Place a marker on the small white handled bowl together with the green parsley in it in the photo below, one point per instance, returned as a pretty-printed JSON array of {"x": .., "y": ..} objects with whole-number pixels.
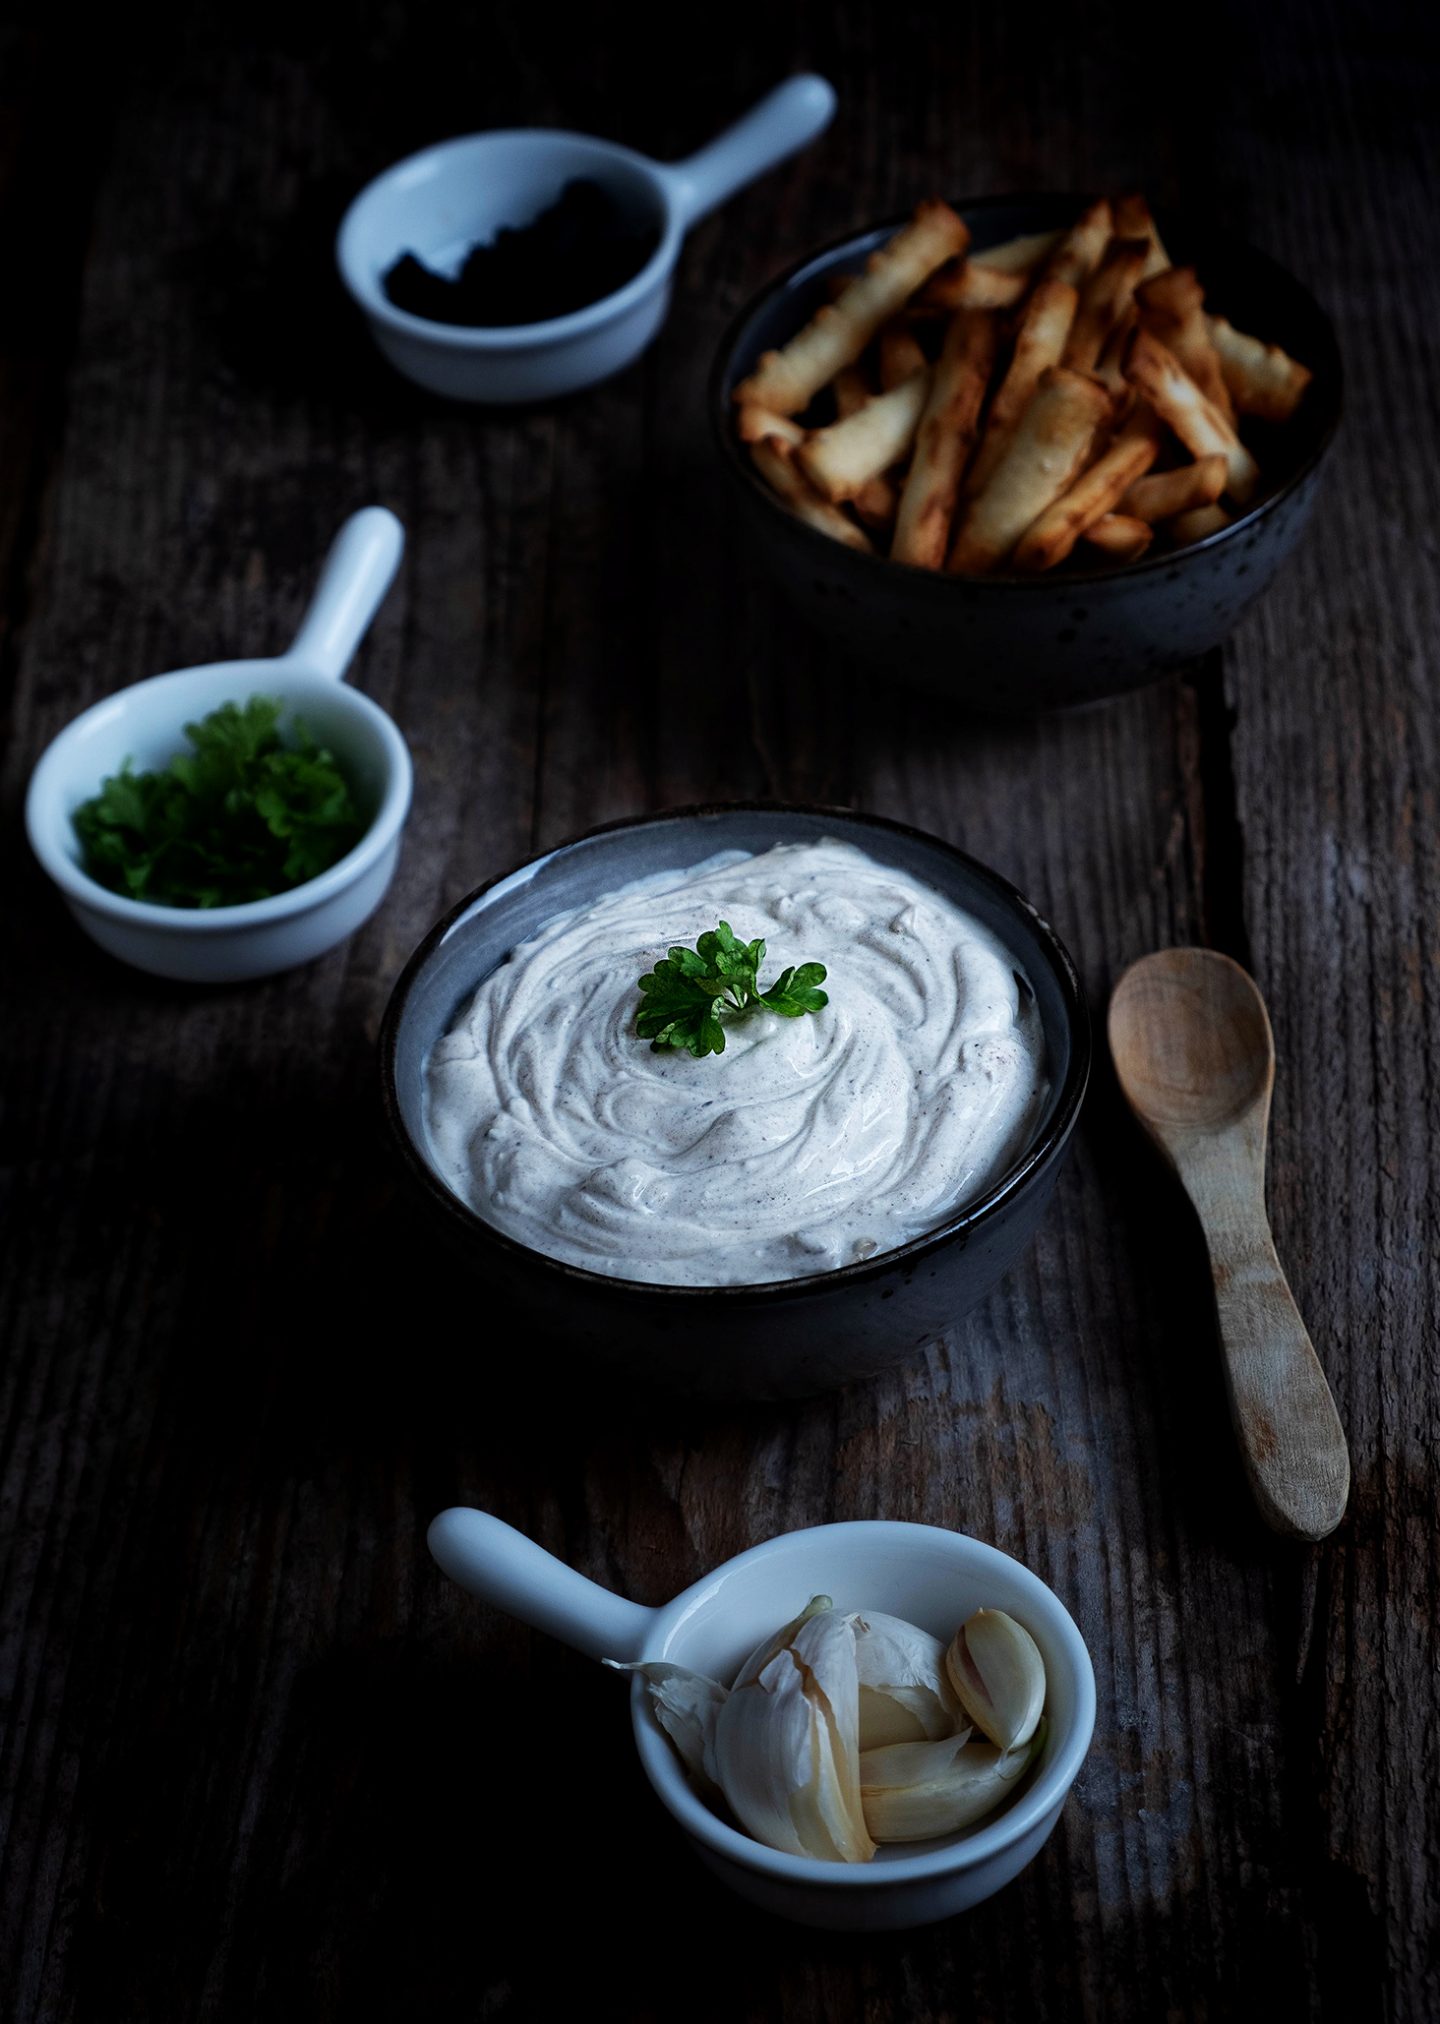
[{"x": 240, "y": 819}]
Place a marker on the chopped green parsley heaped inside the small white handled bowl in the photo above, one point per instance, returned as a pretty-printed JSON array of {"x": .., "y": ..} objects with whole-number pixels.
[{"x": 240, "y": 817}]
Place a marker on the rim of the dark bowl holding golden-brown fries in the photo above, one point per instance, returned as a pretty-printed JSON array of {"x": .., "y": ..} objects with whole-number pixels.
[{"x": 1002, "y": 582}]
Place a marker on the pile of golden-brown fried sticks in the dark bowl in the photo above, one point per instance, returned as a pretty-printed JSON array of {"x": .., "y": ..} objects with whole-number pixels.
[{"x": 1064, "y": 394}]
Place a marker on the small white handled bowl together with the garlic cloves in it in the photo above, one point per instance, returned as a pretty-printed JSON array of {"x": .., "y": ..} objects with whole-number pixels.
[{"x": 866, "y": 1725}]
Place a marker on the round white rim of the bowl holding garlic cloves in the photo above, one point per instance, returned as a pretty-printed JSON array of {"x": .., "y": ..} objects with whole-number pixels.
[{"x": 1044, "y": 1792}]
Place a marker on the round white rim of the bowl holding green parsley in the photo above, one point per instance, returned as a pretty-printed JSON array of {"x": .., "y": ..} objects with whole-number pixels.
[{"x": 46, "y": 790}]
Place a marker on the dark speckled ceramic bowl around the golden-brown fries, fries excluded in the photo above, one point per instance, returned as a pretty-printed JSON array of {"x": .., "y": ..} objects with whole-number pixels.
[{"x": 1036, "y": 643}]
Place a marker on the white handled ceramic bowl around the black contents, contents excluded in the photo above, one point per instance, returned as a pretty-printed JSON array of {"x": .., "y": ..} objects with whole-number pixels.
[{"x": 443, "y": 201}]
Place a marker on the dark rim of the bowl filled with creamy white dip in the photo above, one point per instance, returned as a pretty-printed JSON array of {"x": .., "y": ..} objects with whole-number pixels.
[{"x": 1038, "y": 1157}]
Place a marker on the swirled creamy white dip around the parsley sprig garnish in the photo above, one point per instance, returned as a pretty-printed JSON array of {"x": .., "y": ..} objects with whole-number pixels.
[{"x": 807, "y": 1145}]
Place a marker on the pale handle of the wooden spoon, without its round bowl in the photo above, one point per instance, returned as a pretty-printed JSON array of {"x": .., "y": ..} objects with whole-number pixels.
[{"x": 1285, "y": 1416}]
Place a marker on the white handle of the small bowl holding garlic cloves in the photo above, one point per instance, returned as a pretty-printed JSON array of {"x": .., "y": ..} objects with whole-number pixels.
[{"x": 507, "y": 1570}]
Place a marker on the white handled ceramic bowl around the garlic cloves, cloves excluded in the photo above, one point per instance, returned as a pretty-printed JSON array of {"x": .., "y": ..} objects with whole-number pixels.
[{"x": 923, "y": 1574}]
